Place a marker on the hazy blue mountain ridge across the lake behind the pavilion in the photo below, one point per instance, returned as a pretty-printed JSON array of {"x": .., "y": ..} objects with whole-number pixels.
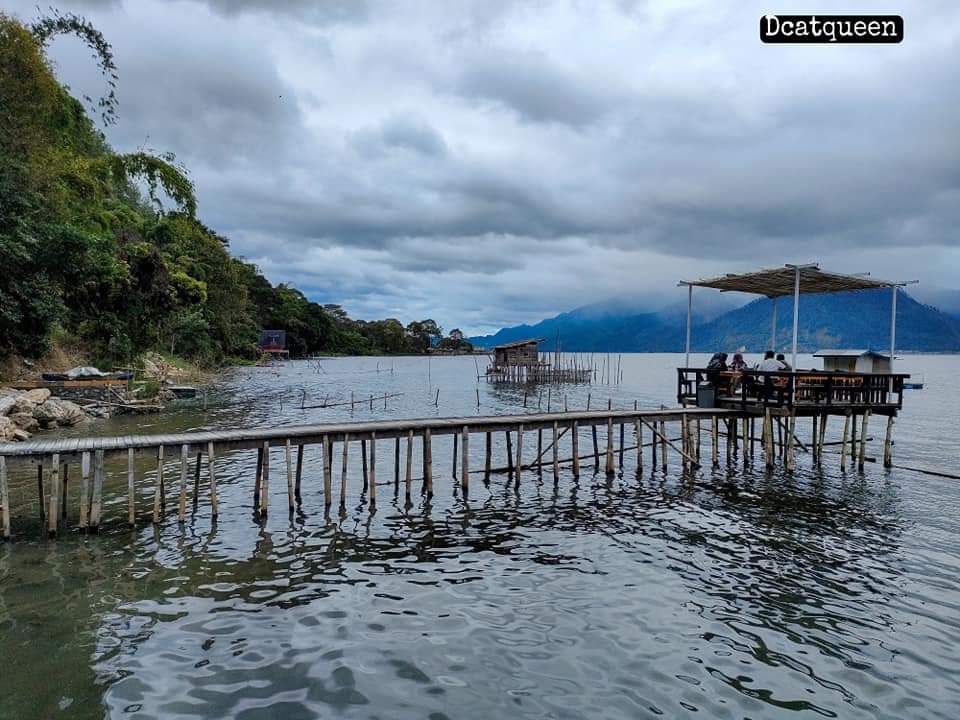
[{"x": 859, "y": 319}]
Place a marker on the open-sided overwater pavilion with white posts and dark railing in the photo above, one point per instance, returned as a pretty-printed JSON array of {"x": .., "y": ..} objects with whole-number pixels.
[{"x": 797, "y": 392}]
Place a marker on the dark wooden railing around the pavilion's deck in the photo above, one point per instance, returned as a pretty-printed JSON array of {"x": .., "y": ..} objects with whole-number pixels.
[{"x": 789, "y": 389}]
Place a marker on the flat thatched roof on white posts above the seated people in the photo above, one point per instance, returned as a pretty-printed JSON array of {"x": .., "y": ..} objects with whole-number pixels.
[{"x": 775, "y": 282}]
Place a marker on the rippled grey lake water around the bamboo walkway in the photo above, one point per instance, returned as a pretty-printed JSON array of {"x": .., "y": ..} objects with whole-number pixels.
[{"x": 725, "y": 593}]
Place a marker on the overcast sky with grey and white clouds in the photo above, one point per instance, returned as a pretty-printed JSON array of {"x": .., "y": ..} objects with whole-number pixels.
[{"x": 489, "y": 162}]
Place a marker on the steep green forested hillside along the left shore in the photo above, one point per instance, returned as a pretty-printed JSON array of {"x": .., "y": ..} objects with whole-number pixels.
[{"x": 107, "y": 249}]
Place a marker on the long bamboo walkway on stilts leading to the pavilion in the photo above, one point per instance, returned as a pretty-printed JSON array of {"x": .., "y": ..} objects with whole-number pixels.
[{"x": 54, "y": 458}]
